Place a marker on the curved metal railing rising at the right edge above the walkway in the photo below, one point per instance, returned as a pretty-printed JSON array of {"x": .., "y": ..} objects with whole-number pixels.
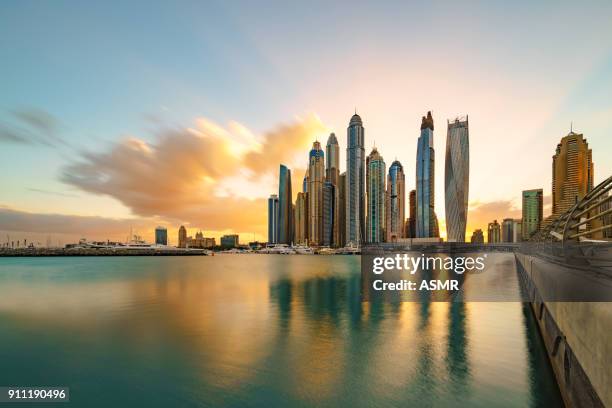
[{"x": 589, "y": 220}]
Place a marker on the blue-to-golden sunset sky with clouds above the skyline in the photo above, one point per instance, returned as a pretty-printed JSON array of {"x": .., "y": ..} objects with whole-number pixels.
[{"x": 118, "y": 116}]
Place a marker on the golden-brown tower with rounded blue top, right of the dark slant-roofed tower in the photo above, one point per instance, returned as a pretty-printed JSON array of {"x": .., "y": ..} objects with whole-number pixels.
[{"x": 316, "y": 178}]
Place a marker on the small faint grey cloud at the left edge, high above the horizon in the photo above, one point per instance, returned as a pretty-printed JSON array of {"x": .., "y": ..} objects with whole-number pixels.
[{"x": 31, "y": 126}]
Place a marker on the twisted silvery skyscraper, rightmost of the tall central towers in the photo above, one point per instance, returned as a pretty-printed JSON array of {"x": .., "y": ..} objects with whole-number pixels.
[{"x": 456, "y": 179}]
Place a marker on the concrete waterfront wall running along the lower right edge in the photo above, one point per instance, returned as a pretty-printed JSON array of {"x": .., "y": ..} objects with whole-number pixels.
[{"x": 576, "y": 334}]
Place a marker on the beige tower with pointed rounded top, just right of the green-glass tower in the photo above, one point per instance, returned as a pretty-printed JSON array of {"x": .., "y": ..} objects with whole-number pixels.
[{"x": 395, "y": 202}]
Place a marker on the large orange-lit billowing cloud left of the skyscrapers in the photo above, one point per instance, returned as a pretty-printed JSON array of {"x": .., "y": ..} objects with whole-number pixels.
[{"x": 179, "y": 176}]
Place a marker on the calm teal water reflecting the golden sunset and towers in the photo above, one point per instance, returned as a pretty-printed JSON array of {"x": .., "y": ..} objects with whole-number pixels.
[{"x": 256, "y": 330}]
